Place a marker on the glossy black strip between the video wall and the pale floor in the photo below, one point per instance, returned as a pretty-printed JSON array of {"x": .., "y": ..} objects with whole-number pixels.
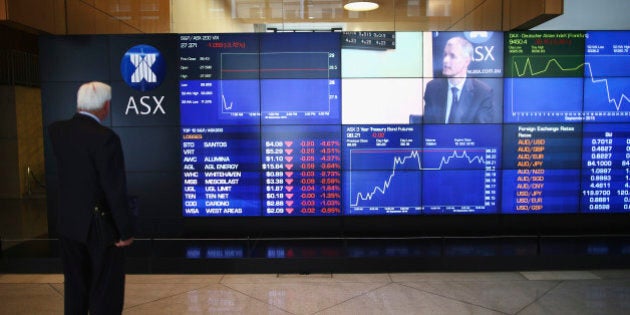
[{"x": 341, "y": 255}]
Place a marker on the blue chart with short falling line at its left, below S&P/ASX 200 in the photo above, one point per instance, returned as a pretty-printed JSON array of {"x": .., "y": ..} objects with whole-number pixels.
[{"x": 286, "y": 84}]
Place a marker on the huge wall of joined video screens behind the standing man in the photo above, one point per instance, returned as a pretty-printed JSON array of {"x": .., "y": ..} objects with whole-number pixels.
[{"x": 362, "y": 123}]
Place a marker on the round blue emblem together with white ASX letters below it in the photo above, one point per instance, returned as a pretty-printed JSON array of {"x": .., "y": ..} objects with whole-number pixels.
[{"x": 143, "y": 68}]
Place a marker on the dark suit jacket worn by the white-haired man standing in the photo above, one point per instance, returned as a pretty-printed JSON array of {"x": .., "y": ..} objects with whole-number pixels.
[{"x": 91, "y": 169}]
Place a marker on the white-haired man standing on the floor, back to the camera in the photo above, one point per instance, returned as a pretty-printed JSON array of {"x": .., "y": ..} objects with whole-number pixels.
[{"x": 91, "y": 171}]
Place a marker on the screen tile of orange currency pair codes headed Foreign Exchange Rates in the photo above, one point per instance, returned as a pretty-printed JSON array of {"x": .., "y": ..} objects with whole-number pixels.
[{"x": 542, "y": 168}]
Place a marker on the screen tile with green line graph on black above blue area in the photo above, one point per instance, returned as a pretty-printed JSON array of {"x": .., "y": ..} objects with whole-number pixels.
[{"x": 544, "y": 76}]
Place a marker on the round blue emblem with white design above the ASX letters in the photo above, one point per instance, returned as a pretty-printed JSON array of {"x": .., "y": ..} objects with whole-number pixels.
[{"x": 143, "y": 68}]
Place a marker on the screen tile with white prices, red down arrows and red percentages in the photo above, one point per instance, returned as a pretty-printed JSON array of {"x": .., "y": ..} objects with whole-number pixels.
[{"x": 302, "y": 170}]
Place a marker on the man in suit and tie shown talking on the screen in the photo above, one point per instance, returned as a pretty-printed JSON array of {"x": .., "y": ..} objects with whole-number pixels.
[{"x": 456, "y": 98}]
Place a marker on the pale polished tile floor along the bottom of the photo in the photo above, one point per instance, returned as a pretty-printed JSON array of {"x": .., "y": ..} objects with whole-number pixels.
[{"x": 531, "y": 292}]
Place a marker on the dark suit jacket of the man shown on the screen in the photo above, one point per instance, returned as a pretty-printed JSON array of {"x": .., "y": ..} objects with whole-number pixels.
[{"x": 476, "y": 103}]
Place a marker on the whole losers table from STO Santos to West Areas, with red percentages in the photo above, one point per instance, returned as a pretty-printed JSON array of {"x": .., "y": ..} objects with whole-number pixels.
[{"x": 301, "y": 171}]
